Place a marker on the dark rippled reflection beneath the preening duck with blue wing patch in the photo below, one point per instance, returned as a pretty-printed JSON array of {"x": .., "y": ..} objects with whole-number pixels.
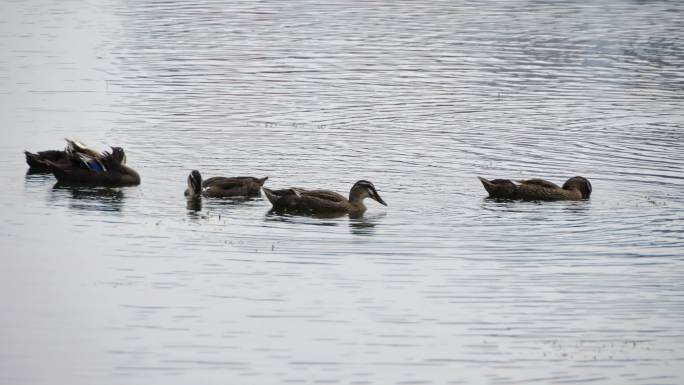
[{"x": 90, "y": 198}]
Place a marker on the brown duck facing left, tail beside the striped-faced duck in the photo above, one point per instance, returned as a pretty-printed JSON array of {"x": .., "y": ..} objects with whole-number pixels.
[{"x": 223, "y": 187}]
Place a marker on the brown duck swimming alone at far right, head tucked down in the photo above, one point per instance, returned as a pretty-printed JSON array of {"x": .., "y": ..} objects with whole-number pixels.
[{"x": 574, "y": 189}]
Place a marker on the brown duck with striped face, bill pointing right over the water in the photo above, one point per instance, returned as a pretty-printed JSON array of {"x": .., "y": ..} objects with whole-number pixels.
[{"x": 324, "y": 201}]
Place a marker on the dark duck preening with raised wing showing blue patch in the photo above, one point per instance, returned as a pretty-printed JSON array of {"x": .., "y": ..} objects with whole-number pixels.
[{"x": 106, "y": 170}]
